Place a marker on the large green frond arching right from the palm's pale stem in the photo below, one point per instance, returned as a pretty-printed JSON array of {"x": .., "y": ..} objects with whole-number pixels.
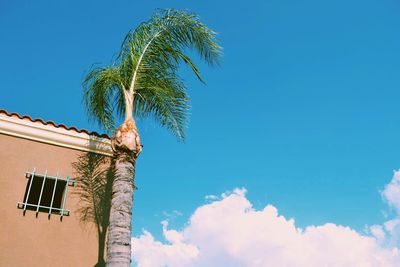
[{"x": 159, "y": 47}]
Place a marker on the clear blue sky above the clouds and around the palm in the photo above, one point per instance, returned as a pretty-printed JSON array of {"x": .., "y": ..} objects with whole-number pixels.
[{"x": 303, "y": 111}]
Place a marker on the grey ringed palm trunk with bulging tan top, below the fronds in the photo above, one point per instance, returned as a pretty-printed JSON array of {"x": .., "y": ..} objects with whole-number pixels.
[{"x": 126, "y": 146}]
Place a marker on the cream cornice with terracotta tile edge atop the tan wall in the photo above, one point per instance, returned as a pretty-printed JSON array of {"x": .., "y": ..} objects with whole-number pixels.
[{"x": 50, "y": 134}]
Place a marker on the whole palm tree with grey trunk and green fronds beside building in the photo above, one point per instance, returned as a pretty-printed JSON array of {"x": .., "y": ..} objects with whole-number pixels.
[{"x": 144, "y": 82}]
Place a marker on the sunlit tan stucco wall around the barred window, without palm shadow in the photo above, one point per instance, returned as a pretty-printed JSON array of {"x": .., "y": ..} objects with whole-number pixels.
[{"x": 30, "y": 241}]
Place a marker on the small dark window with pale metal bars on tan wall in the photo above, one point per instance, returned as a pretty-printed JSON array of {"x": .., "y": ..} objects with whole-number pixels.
[{"x": 45, "y": 193}]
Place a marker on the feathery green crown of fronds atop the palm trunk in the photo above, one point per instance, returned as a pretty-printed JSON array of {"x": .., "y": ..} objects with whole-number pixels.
[{"x": 144, "y": 79}]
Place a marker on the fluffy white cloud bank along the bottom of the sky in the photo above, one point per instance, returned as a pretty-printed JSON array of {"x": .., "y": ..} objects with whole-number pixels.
[{"x": 230, "y": 232}]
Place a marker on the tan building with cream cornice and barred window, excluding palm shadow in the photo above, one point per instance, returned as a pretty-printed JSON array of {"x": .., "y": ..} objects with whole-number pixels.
[{"x": 39, "y": 220}]
